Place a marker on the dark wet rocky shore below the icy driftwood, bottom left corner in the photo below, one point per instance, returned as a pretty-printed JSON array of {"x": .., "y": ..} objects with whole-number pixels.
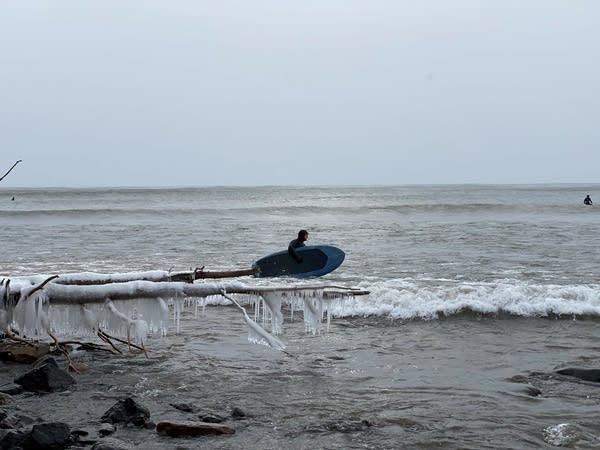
[{"x": 45, "y": 379}]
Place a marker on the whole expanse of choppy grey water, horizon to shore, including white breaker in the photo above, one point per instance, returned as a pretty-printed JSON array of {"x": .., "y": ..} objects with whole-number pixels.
[{"x": 471, "y": 285}]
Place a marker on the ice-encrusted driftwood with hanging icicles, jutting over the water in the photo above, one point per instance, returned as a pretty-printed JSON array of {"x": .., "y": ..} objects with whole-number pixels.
[{"x": 133, "y": 305}]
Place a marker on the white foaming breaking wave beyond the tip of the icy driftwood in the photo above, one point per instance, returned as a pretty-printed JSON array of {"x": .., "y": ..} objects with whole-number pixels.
[{"x": 434, "y": 299}]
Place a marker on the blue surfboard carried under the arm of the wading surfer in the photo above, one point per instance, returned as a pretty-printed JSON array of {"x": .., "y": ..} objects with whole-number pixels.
[{"x": 317, "y": 260}]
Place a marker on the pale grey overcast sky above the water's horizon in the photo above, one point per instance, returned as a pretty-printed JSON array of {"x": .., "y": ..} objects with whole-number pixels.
[{"x": 195, "y": 93}]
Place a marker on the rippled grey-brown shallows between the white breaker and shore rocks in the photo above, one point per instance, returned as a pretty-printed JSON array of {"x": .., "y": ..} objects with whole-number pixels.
[{"x": 368, "y": 383}]
